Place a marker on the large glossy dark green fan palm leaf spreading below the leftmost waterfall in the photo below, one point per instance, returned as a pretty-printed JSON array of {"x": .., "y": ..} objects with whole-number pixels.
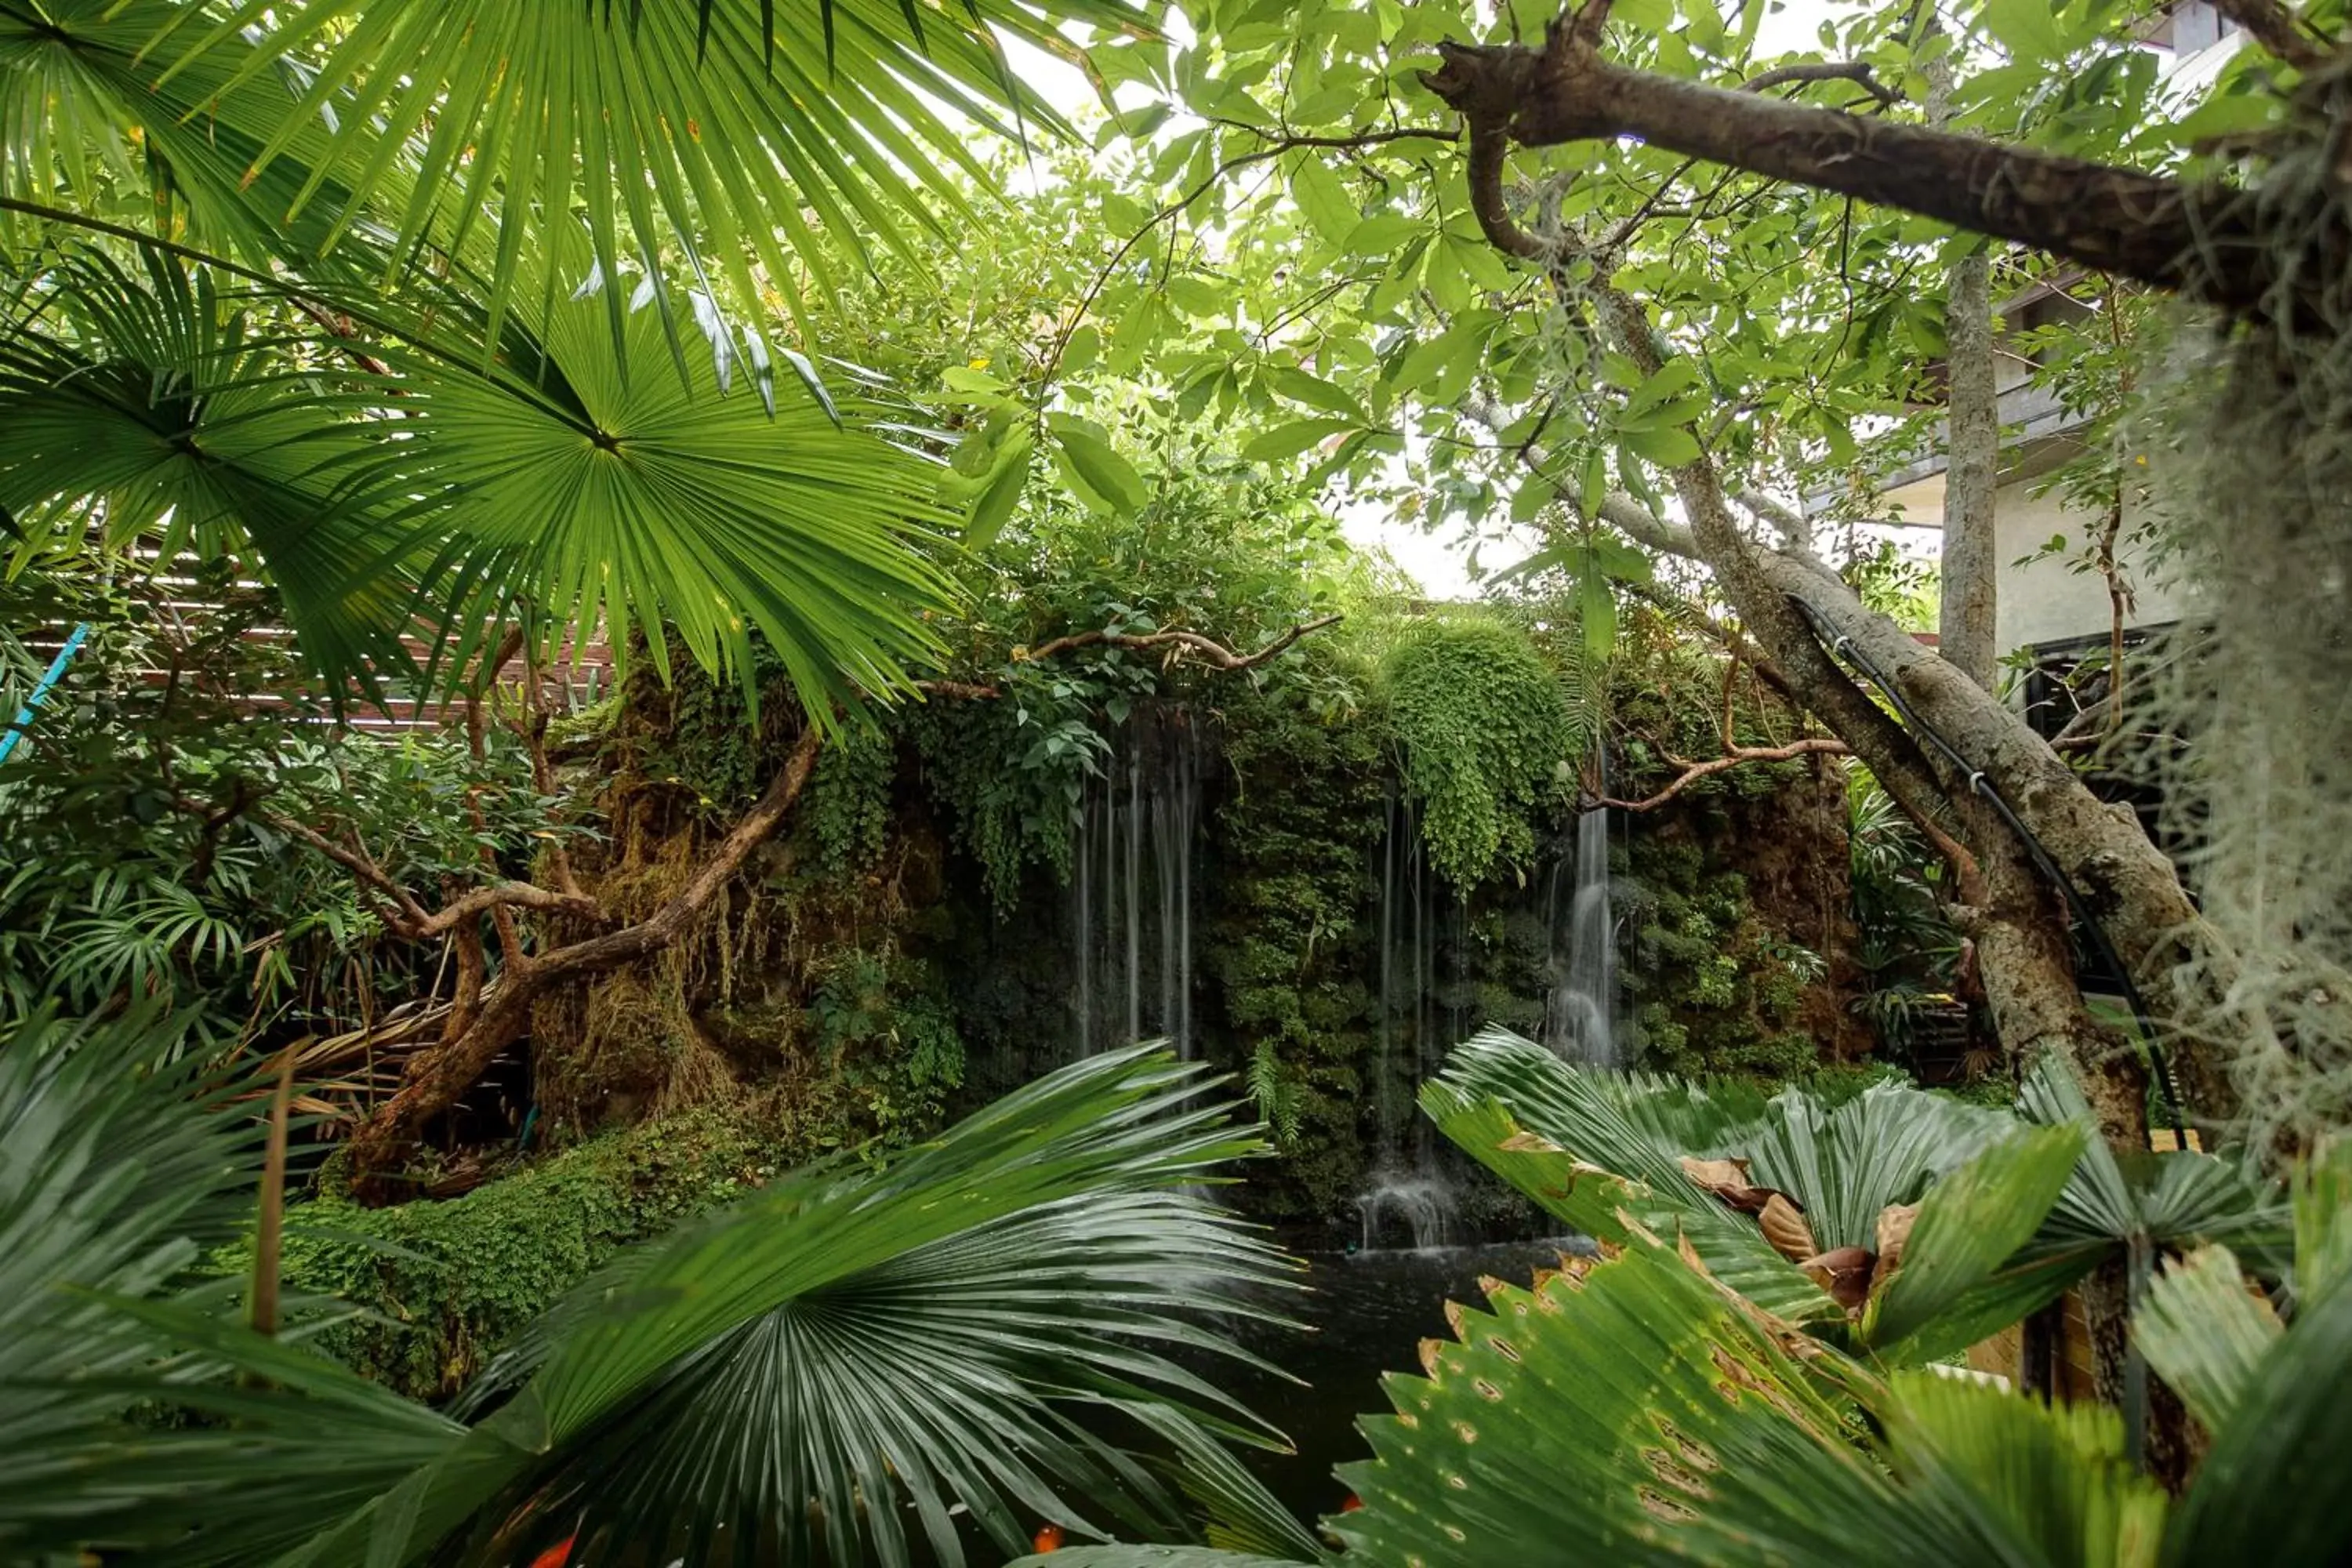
[{"x": 838, "y": 1367}]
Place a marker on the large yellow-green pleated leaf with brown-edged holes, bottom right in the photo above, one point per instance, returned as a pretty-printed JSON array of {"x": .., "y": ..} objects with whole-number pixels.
[{"x": 1619, "y": 1412}]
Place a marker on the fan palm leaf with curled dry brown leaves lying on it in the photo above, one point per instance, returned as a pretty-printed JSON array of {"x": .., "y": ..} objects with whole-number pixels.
[{"x": 1617, "y": 1153}]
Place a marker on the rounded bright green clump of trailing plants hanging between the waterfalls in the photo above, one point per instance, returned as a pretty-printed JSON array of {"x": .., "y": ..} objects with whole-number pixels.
[{"x": 1483, "y": 739}]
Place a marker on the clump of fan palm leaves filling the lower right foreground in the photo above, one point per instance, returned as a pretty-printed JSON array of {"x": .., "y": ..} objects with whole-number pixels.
[{"x": 1657, "y": 1405}]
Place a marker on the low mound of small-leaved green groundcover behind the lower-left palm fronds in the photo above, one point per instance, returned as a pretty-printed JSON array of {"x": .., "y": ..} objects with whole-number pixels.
[{"x": 448, "y": 1285}]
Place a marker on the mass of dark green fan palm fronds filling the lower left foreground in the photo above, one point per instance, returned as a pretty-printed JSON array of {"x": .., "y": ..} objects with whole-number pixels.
[{"x": 982, "y": 1332}]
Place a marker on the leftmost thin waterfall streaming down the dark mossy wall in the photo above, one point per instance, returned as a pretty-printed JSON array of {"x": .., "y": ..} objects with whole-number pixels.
[{"x": 1132, "y": 845}]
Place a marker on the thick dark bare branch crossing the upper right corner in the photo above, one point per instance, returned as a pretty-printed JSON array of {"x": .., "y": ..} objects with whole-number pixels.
[{"x": 2189, "y": 239}]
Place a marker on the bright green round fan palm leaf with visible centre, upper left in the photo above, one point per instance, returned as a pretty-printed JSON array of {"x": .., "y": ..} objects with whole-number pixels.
[{"x": 617, "y": 497}]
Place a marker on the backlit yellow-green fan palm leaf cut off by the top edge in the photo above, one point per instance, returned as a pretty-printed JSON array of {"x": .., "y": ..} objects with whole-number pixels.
[{"x": 737, "y": 130}]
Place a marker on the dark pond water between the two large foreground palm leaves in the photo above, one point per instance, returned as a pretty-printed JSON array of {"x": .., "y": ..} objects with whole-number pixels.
[{"x": 1370, "y": 1315}]
